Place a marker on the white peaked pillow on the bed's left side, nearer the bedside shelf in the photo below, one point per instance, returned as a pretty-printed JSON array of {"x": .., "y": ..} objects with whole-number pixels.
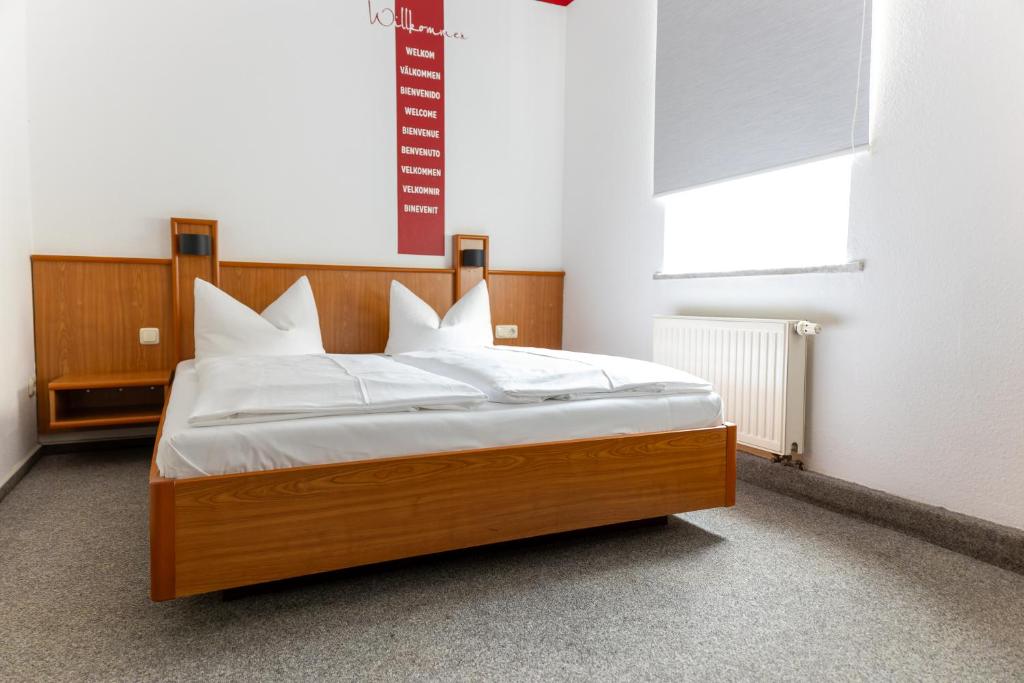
[{"x": 225, "y": 326}]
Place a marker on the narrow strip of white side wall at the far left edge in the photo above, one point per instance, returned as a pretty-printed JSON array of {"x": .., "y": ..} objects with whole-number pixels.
[{"x": 18, "y": 411}]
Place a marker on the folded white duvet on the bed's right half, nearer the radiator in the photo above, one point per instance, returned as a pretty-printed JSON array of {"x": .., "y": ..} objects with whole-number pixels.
[{"x": 523, "y": 375}]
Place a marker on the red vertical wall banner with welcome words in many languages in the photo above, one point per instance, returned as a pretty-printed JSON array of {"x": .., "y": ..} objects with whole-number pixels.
[{"x": 420, "y": 97}]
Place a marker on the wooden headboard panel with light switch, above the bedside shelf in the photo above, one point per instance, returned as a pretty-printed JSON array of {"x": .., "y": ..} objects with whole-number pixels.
[{"x": 88, "y": 316}]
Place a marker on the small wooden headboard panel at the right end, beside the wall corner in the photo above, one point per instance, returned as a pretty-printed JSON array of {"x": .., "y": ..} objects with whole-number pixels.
[{"x": 531, "y": 300}]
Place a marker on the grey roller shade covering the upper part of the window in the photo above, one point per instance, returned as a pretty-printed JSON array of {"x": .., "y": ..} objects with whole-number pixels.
[{"x": 750, "y": 86}]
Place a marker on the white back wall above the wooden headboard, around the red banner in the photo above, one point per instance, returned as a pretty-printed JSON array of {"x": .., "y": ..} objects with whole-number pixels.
[{"x": 279, "y": 119}]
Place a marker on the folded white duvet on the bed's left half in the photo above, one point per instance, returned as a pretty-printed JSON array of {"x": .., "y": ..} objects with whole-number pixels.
[{"x": 243, "y": 390}]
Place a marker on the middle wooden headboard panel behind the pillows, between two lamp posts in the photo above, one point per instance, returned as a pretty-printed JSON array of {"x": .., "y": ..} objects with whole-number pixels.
[{"x": 353, "y": 302}]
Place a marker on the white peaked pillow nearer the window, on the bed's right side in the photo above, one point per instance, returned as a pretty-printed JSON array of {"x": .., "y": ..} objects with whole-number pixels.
[{"x": 416, "y": 327}]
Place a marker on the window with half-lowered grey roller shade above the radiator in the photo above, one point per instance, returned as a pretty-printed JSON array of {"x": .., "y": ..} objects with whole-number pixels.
[{"x": 759, "y": 111}]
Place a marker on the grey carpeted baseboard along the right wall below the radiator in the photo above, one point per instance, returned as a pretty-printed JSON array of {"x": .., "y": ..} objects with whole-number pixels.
[{"x": 986, "y": 541}]
